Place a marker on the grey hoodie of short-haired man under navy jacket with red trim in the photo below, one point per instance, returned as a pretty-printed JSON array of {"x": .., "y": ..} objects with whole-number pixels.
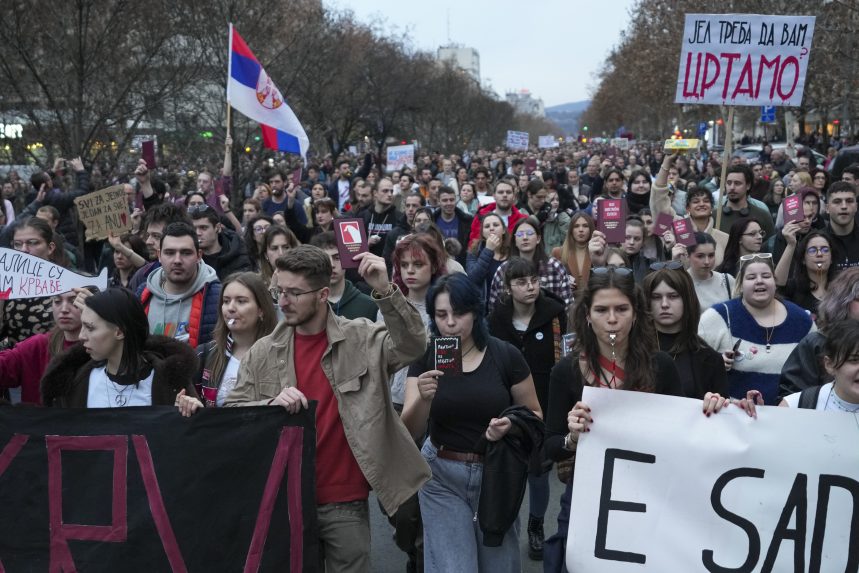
[{"x": 170, "y": 314}]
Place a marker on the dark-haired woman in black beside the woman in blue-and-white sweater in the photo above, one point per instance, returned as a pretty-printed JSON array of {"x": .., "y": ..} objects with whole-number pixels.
[{"x": 676, "y": 313}]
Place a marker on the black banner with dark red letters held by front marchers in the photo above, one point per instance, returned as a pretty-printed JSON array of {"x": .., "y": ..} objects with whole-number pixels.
[{"x": 144, "y": 489}]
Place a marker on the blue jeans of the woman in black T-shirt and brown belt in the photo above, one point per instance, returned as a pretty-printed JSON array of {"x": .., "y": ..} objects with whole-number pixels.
[{"x": 452, "y": 537}]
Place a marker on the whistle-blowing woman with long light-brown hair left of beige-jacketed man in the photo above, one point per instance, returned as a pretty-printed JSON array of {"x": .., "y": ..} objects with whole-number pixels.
[{"x": 247, "y": 315}]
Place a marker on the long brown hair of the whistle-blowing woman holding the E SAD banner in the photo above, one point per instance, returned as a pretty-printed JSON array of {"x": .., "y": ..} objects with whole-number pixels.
[{"x": 642, "y": 336}]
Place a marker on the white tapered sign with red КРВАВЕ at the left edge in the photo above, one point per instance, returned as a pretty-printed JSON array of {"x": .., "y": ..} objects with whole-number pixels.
[{"x": 28, "y": 276}]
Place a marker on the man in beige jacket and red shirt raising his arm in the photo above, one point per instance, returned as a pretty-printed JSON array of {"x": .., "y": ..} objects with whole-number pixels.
[{"x": 345, "y": 366}]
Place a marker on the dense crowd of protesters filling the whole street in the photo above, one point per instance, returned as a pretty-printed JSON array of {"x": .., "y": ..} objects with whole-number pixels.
[{"x": 223, "y": 296}]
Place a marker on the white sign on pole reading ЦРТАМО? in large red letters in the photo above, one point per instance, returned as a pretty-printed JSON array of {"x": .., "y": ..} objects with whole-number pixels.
[{"x": 744, "y": 59}]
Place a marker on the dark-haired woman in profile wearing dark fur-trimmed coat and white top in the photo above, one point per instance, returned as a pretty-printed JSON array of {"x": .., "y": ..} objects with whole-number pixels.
[{"x": 118, "y": 363}]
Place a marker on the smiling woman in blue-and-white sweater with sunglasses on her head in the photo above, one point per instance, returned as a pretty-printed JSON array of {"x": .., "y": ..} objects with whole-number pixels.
[{"x": 756, "y": 332}]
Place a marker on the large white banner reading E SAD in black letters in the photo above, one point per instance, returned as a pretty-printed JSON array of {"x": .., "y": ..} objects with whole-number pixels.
[{"x": 661, "y": 487}]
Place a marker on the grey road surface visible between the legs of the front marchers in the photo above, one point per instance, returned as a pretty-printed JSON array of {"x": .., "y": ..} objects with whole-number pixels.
[{"x": 387, "y": 558}]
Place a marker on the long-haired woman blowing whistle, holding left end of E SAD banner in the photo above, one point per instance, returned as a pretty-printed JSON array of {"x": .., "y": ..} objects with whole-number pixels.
[{"x": 616, "y": 347}]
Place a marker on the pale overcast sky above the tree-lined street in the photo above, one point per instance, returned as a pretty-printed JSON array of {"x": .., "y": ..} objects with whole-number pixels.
[{"x": 550, "y": 47}]
